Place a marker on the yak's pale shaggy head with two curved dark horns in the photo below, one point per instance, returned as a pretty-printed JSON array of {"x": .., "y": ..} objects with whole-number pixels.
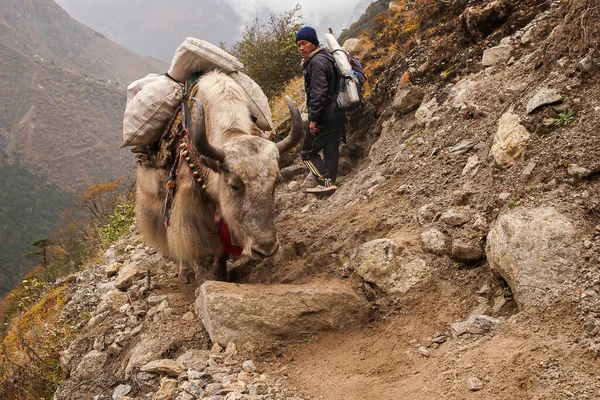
[{"x": 246, "y": 175}]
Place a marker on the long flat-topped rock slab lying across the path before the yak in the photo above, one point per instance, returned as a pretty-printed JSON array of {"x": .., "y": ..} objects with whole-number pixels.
[{"x": 262, "y": 314}]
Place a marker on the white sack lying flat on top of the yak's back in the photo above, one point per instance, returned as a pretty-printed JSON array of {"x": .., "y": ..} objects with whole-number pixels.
[{"x": 196, "y": 55}]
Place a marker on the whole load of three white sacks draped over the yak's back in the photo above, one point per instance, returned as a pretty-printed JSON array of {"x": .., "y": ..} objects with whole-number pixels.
[{"x": 153, "y": 100}]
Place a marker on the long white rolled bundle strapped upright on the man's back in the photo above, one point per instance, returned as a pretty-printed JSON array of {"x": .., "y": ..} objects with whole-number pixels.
[{"x": 349, "y": 94}]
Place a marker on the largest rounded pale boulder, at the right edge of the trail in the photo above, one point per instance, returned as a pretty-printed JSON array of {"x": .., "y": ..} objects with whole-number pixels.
[{"x": 535, "y": 251}]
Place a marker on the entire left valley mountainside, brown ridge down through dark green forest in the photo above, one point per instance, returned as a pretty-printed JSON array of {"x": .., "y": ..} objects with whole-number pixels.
[{"x": 62, "y": 99}]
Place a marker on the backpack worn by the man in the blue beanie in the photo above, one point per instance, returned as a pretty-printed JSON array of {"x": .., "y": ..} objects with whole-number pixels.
[{"x": 351, "y": 87}]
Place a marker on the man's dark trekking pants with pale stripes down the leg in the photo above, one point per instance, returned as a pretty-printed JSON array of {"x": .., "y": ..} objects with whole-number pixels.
[{"x": 326, "y": 140}]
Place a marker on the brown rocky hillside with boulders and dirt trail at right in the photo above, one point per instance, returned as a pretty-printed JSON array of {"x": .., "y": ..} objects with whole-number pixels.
[{"x": 458, "y": 258}]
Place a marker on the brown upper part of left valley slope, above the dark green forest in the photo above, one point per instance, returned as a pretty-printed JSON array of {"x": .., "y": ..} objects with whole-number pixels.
[{"x": 67, "y": 109}]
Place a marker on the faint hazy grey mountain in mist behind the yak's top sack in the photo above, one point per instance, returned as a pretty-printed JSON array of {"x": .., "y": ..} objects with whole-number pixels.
[{"x": 157, "y": 27}]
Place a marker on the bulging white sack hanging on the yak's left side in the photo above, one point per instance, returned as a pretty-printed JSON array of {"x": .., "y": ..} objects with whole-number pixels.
[{"x": 151, "y": 104}]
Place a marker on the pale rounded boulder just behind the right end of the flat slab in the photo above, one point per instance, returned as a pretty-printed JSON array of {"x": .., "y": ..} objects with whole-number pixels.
[{"x": 390, "y": 267}]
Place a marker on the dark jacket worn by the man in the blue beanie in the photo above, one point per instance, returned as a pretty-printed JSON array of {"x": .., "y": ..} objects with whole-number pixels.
[{"x": 321, "y": 81}]
